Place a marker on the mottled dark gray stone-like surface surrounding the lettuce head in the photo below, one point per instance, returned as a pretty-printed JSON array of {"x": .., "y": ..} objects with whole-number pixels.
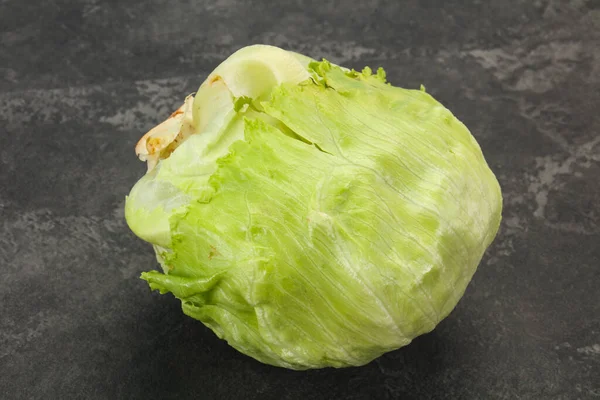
[{"x": 81, "y": 81}]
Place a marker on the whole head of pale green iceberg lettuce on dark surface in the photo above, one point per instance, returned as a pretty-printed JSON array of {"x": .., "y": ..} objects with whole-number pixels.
[{"x": 311, "y": 215}]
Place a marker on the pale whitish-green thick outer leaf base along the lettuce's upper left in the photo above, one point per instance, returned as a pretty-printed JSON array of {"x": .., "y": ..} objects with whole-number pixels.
[{"x": 248, "y": 75}]
